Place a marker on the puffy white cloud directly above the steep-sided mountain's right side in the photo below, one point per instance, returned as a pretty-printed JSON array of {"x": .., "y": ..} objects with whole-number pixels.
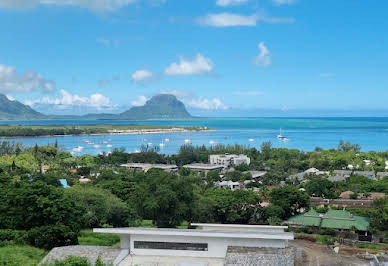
[{"x": 199, "y": 65}]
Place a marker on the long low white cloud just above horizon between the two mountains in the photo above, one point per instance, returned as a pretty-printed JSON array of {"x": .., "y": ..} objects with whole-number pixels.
[{"x": 68, "y": 100}]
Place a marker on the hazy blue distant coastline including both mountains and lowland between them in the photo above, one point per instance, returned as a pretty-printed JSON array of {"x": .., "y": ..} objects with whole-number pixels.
[{"x": 161, "y": 106}]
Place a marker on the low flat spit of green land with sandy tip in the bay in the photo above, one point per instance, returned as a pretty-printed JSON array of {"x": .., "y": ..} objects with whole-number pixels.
[{"x": 40, "y": 131}]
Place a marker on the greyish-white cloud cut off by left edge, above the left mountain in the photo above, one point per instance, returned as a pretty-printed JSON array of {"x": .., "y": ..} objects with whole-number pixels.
[{"x": 11, "y": 81}]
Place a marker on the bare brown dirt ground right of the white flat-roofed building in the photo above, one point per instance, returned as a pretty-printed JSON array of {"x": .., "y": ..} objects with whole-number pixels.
[{"x": 315, "y": 254}]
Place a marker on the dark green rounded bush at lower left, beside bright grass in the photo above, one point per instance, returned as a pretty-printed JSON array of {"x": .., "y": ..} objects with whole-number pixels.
[{"x": 50, "y": 236}]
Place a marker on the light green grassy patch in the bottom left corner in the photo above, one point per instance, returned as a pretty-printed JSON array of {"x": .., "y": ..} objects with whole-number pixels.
[{"x": 14, "y": 255}]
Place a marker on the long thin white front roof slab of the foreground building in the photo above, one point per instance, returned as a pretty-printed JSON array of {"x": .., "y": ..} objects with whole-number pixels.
[{"x": 196, "y": 233}]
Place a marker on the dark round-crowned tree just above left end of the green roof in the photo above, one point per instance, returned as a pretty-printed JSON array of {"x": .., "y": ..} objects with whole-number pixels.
[{"x": 290, "y": 199}]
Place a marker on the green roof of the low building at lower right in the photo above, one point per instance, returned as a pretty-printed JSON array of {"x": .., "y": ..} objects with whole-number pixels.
[{"x": 336, "y": 219}]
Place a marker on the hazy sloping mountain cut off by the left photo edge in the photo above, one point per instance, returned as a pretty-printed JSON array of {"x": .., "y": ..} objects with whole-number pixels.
[{"x": 12, "y": 110}]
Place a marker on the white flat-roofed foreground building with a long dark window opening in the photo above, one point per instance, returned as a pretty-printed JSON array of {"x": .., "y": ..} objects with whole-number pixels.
[{"x": 212, "y": 244}]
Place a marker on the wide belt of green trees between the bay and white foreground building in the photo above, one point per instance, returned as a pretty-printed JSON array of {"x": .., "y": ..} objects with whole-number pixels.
[{"x": 36, "y": 210}]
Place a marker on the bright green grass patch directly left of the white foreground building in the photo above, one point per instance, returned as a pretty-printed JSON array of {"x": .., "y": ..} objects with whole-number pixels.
[{"x": 87, "y": 237}]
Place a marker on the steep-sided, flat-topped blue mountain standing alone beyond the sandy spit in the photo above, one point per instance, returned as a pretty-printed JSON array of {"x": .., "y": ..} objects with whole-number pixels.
[{"x": 159, "y": 106}]
